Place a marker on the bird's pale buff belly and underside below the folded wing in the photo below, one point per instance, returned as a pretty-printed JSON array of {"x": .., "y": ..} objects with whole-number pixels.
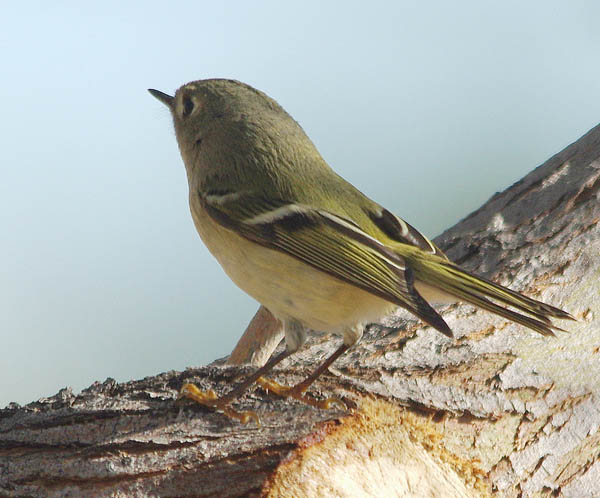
[{"x": 290, "y": 288}]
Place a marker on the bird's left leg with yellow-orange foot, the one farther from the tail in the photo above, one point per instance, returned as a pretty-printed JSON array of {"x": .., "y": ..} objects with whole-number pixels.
[{"x": 209, "y": 398}]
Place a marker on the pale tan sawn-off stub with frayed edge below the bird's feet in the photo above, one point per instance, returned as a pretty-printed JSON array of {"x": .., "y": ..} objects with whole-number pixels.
[{"x": 380, "y": 450}]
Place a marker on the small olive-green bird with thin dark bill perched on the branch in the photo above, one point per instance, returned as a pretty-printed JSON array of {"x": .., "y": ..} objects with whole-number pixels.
[{"x": 303, "y": 241}]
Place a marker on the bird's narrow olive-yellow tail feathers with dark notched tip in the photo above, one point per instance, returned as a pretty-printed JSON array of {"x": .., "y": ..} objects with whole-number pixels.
[{"x": 450, "y": 279}]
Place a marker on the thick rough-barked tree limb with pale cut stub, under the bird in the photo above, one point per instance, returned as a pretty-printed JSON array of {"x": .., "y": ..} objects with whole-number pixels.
[{"x": 497, "y": 410}]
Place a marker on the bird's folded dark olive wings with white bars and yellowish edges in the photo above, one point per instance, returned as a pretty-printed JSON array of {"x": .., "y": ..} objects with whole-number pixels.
[{"x": 328, "y": 242}]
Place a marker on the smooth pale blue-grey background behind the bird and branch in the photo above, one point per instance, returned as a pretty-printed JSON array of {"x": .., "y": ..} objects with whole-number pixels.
[{"x": 427, "y": 106}]
